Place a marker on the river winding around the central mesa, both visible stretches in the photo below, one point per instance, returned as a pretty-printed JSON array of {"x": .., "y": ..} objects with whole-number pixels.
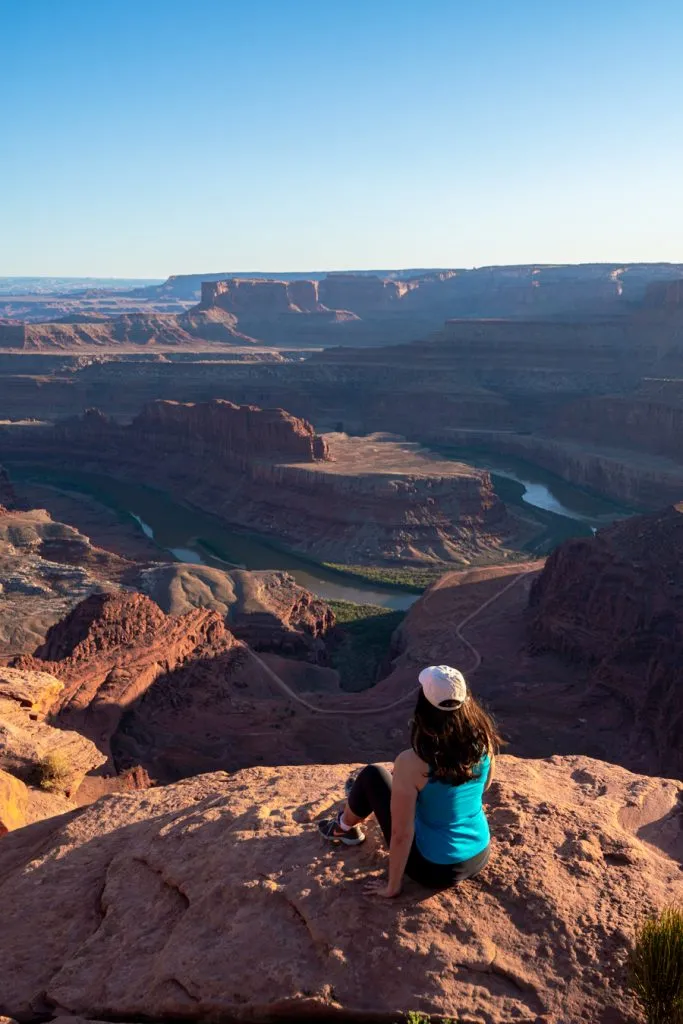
[{"x": 189, "y": 535}]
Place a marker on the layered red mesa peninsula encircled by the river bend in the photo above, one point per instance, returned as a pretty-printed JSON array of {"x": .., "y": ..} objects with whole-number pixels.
[{"x": 339, "y": 499}]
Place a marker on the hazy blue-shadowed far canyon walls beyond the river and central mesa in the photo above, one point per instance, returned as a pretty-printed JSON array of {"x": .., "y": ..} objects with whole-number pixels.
[{"x": 592, "y": 397}]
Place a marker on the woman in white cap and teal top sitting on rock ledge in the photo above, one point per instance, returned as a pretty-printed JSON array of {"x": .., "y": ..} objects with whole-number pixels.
[{"x": 431, "y": 812}]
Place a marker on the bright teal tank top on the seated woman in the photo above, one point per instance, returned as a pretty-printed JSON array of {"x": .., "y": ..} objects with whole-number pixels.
[{"x": 450, "y": 821}]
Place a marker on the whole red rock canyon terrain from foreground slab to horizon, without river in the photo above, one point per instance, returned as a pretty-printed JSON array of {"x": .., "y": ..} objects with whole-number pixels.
[{"x": 203, "y": 711}]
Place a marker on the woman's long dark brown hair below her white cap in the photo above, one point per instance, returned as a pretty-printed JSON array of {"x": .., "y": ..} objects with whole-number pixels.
[{"x": 453, "y": 743}]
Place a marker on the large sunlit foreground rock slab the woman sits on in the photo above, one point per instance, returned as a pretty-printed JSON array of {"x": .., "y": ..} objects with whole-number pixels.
[{"x": 151, "y": 905}]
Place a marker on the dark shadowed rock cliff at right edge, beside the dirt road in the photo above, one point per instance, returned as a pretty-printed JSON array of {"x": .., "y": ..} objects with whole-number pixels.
[{"x": 615, "y": 603}]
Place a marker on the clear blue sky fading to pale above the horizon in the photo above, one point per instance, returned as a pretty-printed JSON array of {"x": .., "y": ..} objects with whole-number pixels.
[{"x": 142, "y": 139}]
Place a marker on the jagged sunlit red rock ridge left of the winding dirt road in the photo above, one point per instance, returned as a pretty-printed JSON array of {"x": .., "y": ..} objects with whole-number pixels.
[{"x": 177, "y": 695}]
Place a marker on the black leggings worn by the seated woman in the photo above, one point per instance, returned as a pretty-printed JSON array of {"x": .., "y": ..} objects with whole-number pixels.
[{"x": 371, "y": 794}]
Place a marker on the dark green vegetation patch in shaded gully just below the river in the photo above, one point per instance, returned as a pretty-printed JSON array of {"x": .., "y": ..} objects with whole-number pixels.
[{"x": 365, "y": 635}]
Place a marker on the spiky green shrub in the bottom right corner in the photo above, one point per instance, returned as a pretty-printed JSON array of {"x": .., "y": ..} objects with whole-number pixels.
[{"x": 656, "y": 967}]
